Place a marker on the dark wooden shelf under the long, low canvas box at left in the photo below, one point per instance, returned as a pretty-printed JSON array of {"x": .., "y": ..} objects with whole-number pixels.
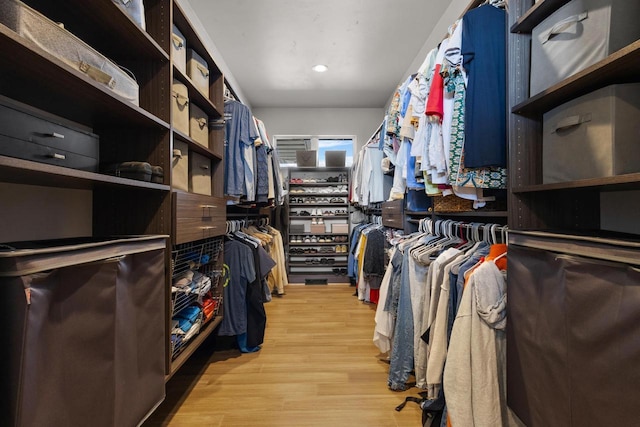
[{"x": 32, "y": 72}]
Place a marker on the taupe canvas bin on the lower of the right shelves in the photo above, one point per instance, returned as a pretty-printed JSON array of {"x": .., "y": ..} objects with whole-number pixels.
[{"x": 593, "y": 136}]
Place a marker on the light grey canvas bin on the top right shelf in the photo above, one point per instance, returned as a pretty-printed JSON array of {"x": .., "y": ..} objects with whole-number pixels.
[{"x": 578, "y": 35}]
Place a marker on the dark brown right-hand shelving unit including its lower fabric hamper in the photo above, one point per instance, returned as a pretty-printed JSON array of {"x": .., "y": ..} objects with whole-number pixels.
[{"x": 569, "y": 272}]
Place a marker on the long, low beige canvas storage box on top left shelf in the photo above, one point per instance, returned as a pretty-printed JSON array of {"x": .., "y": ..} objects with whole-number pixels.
[{"x": 60, "y": 43}]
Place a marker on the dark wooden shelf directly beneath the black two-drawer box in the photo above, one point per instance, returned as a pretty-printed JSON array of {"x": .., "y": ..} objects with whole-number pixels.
[{"x": 20, "y": 171}]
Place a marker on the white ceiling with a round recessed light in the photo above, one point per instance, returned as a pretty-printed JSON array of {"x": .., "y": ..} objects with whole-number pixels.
[{"x": 270, "y": 46}]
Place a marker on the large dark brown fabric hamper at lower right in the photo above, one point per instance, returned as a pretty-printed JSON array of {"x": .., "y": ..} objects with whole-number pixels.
[{"x": 573, "y": 335}]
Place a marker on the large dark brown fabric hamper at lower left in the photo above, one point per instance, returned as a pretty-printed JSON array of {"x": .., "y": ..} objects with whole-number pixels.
[{"x": 84, "y": 331}]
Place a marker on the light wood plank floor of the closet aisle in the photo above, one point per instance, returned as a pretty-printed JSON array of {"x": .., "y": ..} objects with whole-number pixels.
[{"x": 317, "y": 367}]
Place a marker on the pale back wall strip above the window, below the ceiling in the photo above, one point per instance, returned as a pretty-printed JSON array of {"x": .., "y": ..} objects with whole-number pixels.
[{"x": 361, "y": 122}]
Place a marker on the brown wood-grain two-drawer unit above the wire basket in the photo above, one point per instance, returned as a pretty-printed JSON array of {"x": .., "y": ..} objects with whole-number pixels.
[{"x": 197, "y": 217}]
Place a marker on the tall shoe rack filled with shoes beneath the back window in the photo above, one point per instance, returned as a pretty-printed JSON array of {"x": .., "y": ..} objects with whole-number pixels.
[{"x": 318, "y": 225}]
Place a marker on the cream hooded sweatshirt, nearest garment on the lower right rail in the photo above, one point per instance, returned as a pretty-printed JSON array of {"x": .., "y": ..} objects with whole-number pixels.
[{"x": 475, "y": 371}]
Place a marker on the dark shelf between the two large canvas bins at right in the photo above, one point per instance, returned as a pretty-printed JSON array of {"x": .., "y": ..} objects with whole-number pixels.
[{"x": 622, "y": 66}]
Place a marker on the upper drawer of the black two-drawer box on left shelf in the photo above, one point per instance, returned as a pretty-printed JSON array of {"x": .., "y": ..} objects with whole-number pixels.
[{"x": 19, "y": 127}]
